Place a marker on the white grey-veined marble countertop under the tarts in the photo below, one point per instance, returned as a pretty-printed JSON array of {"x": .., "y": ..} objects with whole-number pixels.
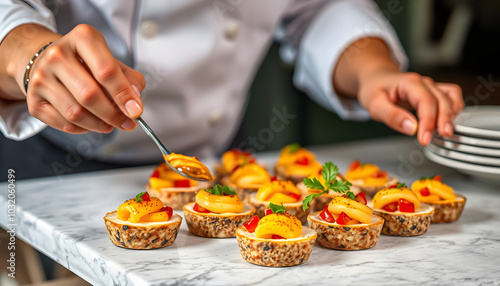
[{"x": 63, "y": 218}]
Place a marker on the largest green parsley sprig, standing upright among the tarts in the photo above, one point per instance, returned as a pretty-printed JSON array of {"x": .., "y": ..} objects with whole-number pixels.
[{"x": 329, "y": 172}]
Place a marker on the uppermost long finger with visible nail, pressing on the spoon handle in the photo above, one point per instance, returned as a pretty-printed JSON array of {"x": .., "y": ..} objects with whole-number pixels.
[{"x": 105, "y": 69}]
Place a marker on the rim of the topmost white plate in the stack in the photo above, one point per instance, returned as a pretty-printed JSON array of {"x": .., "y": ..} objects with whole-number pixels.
[{"x": 486, "y": 110}]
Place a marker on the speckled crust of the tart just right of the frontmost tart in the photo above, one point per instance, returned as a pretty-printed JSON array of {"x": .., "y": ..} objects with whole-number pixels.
[{"x": 346, "y": 237}]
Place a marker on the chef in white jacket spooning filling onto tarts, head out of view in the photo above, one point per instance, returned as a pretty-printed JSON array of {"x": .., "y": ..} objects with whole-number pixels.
[{"x": 75, "y": 70}]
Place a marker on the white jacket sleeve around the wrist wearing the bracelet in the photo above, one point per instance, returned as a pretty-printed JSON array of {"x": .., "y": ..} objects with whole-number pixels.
[{"x": 15, "y": 121}]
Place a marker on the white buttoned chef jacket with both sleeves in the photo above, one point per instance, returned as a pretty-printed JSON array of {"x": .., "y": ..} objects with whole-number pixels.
[{"x": 199, "y": 58}]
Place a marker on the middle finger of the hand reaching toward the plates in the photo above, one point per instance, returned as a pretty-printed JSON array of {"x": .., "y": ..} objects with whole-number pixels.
[{"x": 444, "y": 108}]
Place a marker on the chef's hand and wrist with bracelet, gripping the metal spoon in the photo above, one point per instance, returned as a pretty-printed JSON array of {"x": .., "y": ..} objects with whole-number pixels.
[{"x": 76, "y": 85}]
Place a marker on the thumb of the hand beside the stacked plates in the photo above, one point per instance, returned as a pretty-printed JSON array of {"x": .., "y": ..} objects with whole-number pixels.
[{"x": 383, "y": 110}]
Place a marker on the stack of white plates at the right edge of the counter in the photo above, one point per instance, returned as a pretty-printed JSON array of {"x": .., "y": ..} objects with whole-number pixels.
[{"x": 474, "y": 149}]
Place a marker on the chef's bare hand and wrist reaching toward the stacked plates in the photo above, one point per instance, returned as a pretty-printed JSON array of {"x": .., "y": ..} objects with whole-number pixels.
[{"x": 366, "y": 70}]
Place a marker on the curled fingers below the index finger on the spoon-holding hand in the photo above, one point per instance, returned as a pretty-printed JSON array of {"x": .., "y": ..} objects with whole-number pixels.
[{"x": 76, "y": 94}]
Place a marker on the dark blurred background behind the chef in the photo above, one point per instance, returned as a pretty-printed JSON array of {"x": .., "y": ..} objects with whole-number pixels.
[{"x": 449, "y": 40}]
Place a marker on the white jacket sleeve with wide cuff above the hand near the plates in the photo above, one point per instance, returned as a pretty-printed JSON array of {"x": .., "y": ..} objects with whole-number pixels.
[{"x": 314, "y": 35}]
